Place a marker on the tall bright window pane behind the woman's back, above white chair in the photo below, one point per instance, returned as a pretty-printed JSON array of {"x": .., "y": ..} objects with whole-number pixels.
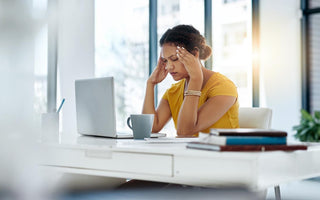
[{"x": 232, "y": 44}]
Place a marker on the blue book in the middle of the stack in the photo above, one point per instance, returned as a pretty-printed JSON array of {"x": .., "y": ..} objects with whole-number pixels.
[{"x": 242, "y": 140}]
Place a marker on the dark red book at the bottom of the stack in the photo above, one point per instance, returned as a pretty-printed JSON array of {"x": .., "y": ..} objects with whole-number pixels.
[{"x": 210, "y": 147}]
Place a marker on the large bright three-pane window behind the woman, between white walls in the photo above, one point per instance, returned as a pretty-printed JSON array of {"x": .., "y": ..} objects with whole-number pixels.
[{"x": 122, "y": 45}]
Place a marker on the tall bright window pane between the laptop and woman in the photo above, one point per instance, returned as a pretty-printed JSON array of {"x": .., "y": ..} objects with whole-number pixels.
[{"x": 122, "y": 48}]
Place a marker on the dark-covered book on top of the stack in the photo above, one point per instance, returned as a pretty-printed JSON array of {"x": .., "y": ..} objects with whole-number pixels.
[{"x": 248, "y": 132}]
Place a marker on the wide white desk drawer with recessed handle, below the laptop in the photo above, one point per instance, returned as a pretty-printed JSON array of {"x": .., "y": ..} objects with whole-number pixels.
[{"x": 108, "y": 160}]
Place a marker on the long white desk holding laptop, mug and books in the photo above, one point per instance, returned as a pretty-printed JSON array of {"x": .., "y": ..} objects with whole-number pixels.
[{"x": 174, "y": 163}]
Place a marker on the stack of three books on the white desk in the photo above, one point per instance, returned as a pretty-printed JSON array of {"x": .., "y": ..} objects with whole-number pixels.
[{"x": 244, "y": 140}]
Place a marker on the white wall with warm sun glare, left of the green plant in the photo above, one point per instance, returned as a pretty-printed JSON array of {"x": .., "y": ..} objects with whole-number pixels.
[{"x": 280, "y": 61}]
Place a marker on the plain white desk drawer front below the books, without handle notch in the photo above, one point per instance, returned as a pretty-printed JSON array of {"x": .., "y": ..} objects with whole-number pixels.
[{"x": 215, "y": 171}]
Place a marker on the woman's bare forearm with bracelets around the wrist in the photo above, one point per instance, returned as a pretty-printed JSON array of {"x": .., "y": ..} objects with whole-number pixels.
[{"x": 188, "y": 115}]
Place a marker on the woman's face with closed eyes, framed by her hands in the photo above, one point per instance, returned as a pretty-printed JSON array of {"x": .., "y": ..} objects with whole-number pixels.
[{"x": 173, "y": 65}]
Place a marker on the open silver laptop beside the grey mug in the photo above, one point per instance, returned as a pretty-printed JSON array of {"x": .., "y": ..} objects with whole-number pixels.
[{"x": 95, "y": 108}]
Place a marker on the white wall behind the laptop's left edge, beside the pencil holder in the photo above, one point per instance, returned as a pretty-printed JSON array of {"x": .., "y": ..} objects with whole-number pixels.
[{"x": 75, "y": 53}]
